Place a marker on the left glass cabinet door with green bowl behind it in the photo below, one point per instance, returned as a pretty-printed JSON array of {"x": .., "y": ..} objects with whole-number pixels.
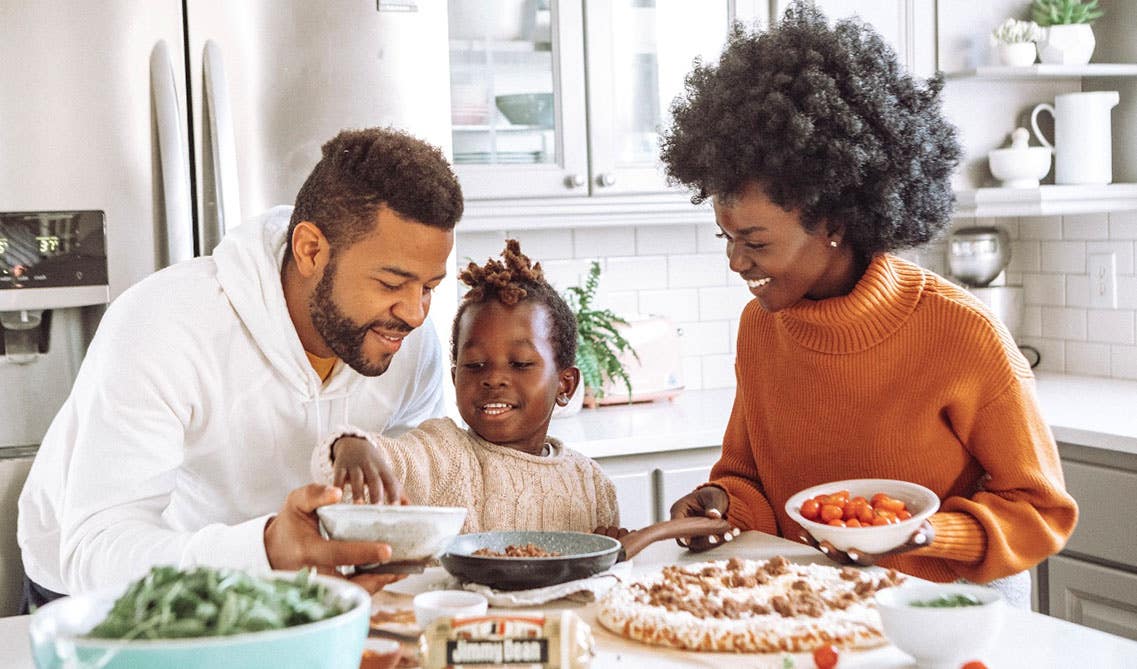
[{"x": 517, "y": 97}]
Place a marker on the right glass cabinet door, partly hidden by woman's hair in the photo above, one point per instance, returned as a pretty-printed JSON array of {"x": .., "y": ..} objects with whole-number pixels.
[{"x": 638, "y": 55}]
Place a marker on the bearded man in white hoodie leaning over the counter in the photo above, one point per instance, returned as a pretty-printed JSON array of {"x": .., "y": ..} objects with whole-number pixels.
[{"x": 208, "y": 385}]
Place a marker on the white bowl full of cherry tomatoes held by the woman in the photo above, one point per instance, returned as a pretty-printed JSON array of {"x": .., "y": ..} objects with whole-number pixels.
[{"x": 873, "y": 516}]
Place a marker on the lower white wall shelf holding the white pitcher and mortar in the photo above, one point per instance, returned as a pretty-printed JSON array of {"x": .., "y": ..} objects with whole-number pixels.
[{"x": 1047, "y": 201}]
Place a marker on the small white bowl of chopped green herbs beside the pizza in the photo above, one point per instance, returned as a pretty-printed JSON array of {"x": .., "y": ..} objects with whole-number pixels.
[{"x": 941, "y": 625}]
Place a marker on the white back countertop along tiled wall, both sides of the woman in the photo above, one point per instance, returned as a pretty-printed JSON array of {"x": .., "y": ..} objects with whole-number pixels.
[{"x": 1089, "y": 411}]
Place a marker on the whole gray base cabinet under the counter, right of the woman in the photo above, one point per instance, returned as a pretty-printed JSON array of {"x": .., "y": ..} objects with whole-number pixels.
[{"x": 1094, "y": 581}]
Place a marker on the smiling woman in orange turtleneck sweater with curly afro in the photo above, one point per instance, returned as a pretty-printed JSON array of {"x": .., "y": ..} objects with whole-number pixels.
[{"x": 821, "y": 158}]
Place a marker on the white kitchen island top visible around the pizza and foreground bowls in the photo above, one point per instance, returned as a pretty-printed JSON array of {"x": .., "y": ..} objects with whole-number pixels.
[{"x": 1026, "y": 639}]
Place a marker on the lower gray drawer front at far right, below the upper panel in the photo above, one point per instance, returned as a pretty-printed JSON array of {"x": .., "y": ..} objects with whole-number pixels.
[{"x": 1094, "y": 596}]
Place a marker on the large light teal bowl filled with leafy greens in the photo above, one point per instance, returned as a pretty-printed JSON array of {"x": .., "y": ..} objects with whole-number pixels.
[{"x": 208, "y": 618}]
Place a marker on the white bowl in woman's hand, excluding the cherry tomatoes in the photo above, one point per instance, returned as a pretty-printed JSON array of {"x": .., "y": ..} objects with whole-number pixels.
[{"x": 920, "y": 502}]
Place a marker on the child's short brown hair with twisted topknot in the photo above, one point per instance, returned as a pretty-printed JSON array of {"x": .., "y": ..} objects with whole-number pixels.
[{"x": 511, "y": 280}]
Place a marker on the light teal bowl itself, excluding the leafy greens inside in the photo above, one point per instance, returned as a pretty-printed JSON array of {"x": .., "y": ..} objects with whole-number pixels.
[{"x": 57, "y": 633}]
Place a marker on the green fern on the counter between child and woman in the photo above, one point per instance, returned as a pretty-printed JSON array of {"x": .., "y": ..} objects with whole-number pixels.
[{"x": 600, "y": 343}]
